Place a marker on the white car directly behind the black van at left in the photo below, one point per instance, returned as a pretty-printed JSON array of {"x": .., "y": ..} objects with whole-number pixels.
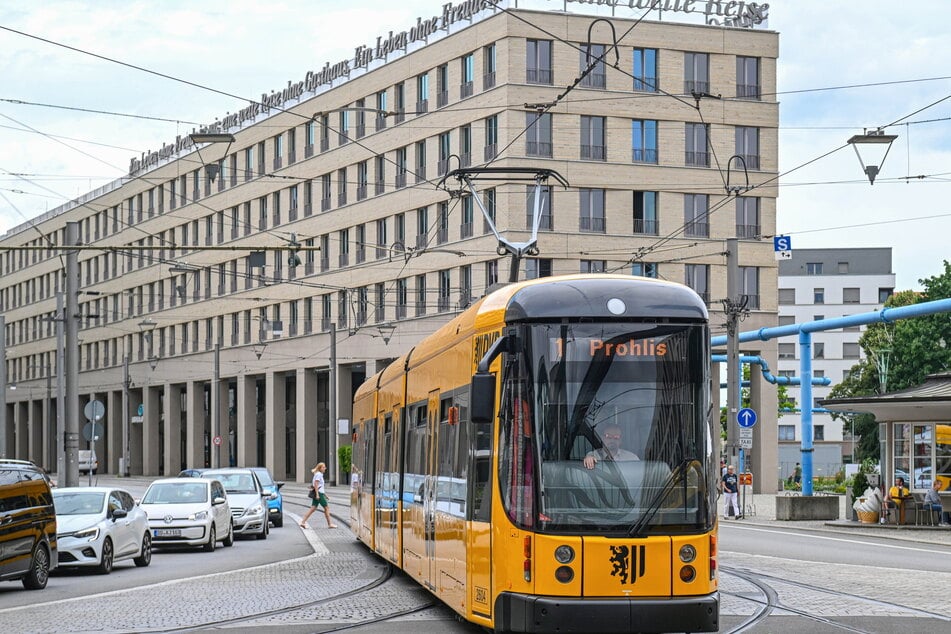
[{"x": 98, "y": 526}]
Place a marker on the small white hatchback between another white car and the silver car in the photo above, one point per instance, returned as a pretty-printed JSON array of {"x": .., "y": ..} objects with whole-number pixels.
[{"x": 188, "y": 512}]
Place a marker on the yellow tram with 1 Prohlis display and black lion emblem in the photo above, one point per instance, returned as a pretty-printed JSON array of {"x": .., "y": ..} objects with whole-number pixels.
[{"x": 546, "y": 460}]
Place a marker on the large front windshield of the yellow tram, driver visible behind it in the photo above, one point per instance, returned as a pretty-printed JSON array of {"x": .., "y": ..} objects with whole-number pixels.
[{"x": 605, "y": 428}]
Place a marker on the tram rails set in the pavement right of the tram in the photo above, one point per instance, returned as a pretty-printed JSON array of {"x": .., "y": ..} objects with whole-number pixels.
[{"x": 771, "y": 603}]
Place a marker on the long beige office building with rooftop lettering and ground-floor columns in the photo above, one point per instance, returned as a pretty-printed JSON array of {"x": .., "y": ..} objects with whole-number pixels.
[{"x": 189, "y": 265}]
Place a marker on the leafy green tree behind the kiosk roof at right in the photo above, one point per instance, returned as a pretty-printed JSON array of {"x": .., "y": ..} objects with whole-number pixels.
[{"x": 897, "y": 356}]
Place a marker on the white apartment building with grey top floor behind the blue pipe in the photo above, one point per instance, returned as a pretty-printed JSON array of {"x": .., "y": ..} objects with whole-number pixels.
[{"x": 823, "y": 284}]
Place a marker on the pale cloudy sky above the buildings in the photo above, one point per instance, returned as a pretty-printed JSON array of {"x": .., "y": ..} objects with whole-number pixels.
[{"x": 844, "y": 66}]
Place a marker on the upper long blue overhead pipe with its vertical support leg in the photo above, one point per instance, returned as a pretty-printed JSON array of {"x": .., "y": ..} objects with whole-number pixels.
[{"x": 886, "y": 315}]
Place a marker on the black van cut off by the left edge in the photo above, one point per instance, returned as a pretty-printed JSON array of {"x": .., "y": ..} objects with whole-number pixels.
[{"x": 27, "y": 524}]
